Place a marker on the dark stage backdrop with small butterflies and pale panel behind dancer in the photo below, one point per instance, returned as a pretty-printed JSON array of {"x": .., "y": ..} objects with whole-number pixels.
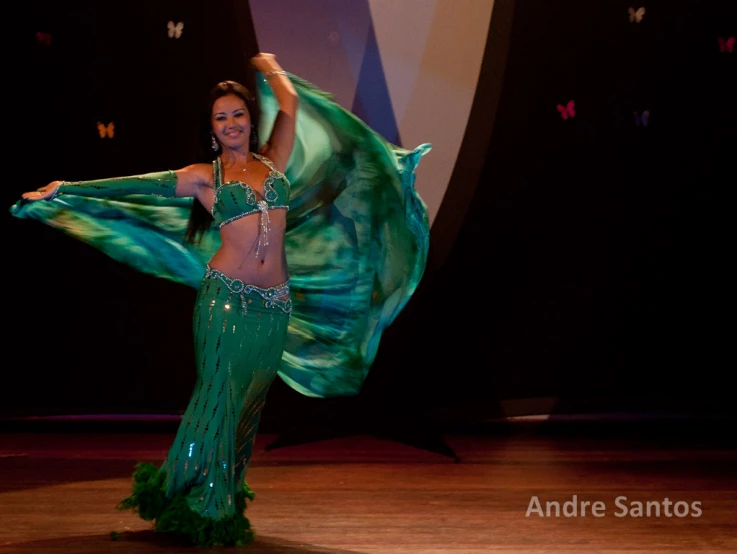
[{"x": 578, "y": 189}]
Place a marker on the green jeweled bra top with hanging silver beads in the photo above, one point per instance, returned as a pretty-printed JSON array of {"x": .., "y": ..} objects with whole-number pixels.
[{"x": 236, "y": 199}]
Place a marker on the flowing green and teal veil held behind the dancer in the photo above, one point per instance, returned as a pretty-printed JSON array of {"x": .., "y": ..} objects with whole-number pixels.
[{"x": 357, "y": 239}]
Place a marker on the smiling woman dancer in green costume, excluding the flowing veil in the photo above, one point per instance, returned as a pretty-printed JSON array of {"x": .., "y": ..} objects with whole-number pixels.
[{"x": 241, "y": 312}]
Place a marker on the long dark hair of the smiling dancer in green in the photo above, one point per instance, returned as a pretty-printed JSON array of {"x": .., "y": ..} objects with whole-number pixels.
[{"x": 200, "y": 219}]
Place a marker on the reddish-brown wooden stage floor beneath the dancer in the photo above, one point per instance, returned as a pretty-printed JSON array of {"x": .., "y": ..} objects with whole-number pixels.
[{"x": 367, "y": 494}]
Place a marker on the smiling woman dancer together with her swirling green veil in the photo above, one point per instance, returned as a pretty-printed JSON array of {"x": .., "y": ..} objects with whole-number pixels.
[{"x": 324, "y": 192}]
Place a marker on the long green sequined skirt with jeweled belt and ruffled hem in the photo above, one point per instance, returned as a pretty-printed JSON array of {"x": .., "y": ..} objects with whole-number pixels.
[{"x": 199, "y": 492}]
